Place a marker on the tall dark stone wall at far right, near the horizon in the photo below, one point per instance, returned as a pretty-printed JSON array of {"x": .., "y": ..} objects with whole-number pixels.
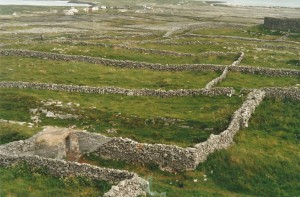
[{"x": 283, "y": 24}]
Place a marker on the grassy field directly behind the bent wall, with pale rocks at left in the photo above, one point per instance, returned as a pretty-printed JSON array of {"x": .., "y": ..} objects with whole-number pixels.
[{"x": 189, "y": 119}]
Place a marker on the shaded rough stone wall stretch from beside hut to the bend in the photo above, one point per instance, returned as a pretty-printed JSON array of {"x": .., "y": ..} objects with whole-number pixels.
[{"x": 167, "y": 157}]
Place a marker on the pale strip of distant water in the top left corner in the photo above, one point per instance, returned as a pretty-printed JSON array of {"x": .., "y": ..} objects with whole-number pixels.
[{"x": 39, "y": 3}]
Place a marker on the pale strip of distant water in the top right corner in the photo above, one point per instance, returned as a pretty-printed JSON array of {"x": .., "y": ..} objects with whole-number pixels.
[{"x": 265, "y": 3}]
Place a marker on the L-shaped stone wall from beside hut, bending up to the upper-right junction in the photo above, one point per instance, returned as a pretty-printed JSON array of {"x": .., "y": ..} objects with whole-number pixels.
[{"x": 174, "y": 158}]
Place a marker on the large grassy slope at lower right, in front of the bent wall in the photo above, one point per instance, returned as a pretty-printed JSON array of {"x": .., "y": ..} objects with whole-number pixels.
[{"x": 263, "y": 161}]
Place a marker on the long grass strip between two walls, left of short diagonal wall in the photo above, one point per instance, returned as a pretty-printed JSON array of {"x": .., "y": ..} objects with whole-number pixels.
[{"x": 77, "y": 73}]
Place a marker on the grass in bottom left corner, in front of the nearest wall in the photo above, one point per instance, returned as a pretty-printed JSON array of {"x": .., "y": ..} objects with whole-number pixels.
[{"x": 21, "y": 180}]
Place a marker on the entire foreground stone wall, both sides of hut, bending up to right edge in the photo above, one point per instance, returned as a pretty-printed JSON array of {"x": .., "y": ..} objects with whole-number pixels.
[{"x": 167, "y": 157}]
